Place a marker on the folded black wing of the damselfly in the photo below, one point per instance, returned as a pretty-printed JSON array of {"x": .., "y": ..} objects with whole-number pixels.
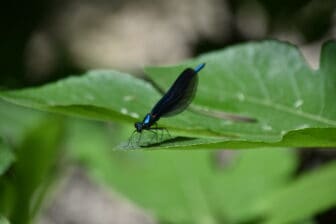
[{"x": 179, "y": 96}]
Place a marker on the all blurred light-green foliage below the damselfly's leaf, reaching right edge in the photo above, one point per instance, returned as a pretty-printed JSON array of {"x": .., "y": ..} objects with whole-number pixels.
[{"x": 254, "y": 186}]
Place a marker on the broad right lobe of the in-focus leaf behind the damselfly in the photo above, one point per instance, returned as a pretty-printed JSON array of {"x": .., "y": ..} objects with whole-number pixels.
[{"x": 270, "y": 82}]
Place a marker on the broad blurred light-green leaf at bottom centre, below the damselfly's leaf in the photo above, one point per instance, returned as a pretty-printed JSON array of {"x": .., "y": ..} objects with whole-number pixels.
[{"x": 185, "y": 187}]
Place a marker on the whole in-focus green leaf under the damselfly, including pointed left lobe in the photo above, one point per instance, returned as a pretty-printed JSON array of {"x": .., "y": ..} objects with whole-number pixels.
[{"x": 268, "y": 81}]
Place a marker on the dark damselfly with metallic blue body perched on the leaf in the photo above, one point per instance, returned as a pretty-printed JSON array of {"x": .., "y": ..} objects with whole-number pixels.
[{"x": 174, "y": 101}]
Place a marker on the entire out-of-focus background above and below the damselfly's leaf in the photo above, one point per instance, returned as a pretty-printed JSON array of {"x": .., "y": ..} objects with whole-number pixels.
[{"x": 56, "y": 169}]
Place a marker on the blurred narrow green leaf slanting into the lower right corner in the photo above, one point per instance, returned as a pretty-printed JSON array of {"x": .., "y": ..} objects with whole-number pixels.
[{"x": 305, "y": 197}]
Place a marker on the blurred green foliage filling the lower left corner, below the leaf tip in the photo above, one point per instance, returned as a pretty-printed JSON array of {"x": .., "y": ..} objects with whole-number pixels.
[{"x": 32, "y": 155}]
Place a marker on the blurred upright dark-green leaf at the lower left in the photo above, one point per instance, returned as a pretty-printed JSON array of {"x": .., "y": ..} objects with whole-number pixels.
[{"x": 32, "y": 172}]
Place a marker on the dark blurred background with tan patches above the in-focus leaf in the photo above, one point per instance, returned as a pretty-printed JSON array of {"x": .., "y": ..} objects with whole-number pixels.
[{"x": 39, "y": 39}]
